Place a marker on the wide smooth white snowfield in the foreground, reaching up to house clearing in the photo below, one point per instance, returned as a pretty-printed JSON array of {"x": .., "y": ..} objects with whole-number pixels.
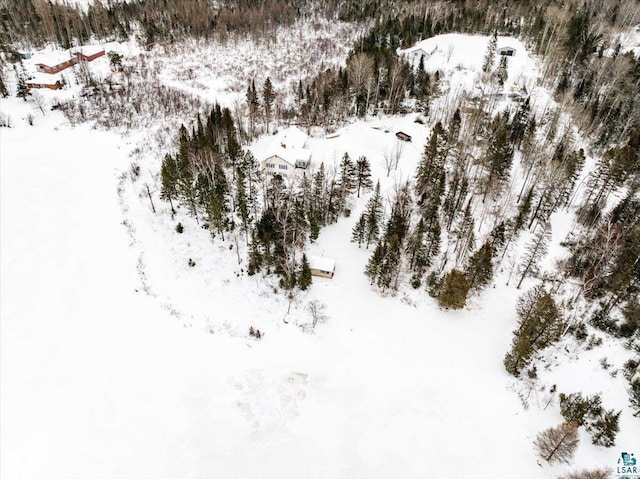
[{"x": 119, "y": 360}]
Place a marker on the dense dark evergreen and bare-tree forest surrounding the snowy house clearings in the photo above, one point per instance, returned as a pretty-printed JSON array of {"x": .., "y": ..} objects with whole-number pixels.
[{"x": 448, "y": 229}]
